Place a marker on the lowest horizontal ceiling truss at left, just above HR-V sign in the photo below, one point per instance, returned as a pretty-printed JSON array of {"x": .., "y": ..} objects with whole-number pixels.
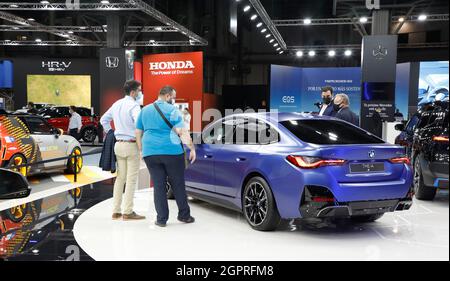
[{"x": 99, "y": 44}]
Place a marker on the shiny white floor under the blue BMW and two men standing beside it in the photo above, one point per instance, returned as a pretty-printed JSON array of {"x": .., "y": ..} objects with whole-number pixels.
[{"x": 421, "y": 233}]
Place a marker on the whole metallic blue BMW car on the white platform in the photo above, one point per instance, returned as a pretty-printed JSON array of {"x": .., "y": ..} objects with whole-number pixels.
[{"x": 288, "y": 166}]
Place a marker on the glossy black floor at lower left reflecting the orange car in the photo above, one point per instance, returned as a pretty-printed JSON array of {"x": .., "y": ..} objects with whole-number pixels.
[{"x": 42, "y": 229}]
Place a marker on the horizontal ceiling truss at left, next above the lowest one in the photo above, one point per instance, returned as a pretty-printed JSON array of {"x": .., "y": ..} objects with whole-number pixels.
[{"x": 80, "y": 29}]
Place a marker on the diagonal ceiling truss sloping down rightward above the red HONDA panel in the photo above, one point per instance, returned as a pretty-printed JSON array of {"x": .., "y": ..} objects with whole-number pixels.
[{"x": 149, "y": 10}]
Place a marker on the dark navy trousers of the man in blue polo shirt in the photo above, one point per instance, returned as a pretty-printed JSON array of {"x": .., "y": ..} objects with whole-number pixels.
[{"x": 171, "y": 168}]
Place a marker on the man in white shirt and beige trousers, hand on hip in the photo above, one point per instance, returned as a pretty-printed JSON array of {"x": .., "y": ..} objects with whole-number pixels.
[{"x": 124, "y": 114}]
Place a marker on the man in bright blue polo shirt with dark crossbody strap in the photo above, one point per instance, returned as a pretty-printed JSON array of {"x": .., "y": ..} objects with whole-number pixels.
[{"x": 159, "y": 130}]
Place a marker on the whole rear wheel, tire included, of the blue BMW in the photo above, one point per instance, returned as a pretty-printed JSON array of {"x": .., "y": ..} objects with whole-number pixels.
[{"x": 259, "y": 206}]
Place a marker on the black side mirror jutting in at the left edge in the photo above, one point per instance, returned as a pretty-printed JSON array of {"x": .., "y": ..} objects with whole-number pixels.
[{"x": 13, "y": 185}]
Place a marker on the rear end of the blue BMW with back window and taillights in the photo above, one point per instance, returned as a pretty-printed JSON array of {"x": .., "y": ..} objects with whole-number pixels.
[{"x": 348, "y": 172}]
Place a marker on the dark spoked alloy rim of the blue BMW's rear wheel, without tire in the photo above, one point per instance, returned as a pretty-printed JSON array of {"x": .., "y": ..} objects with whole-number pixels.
[{"x": 255, "y": 204}]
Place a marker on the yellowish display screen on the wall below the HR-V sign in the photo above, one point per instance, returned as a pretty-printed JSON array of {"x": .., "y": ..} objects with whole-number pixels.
[{"x": 60, "y": 89}]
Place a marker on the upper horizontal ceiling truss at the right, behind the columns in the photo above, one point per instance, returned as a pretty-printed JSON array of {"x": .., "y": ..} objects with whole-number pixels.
[{"x": 350, "y": 21}]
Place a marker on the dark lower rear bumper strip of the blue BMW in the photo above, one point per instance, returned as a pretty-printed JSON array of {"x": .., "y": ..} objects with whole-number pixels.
[{"x": 356, "y": 208}]
